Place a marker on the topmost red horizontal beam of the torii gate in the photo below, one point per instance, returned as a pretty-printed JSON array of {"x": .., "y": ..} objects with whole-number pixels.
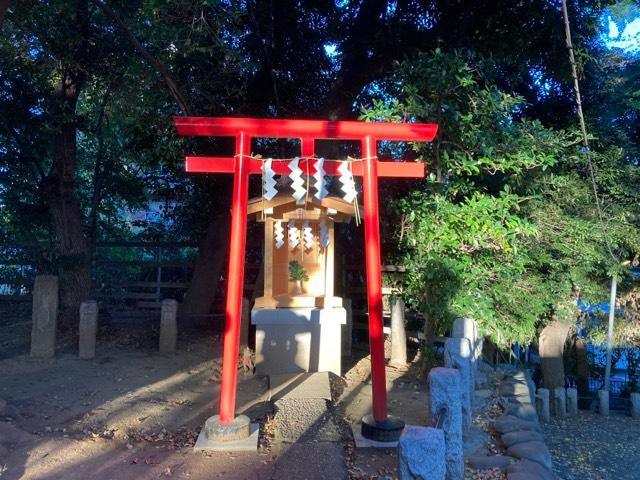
[{"x": 289, "y": 128}]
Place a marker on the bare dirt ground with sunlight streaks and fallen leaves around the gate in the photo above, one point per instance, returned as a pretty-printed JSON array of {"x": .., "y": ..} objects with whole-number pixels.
[{"x": 132, "y": 413}]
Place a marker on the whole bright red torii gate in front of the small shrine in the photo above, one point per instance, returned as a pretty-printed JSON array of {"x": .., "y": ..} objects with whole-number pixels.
[{"x": 380, "y": 426}]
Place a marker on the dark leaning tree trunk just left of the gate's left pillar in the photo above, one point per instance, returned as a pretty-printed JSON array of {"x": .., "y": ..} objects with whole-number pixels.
[{"x": 212, "y": 252}]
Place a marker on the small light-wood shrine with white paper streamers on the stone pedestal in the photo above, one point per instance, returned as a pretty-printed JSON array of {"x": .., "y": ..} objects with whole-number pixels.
[{"x": 300, "y": 231}]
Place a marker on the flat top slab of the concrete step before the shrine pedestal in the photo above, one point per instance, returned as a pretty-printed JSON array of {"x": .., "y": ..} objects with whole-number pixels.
[{"x": 299, "y": 386}]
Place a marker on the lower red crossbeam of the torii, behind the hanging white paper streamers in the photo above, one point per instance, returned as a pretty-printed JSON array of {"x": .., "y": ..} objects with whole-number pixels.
[{"x": 225, "y": 165}]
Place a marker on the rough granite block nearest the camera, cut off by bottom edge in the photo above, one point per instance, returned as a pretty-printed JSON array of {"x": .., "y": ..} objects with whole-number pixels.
[{"x": 421, "y": 454}]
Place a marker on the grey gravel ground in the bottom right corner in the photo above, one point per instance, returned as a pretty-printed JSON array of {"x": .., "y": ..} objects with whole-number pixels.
[{"x": 590, "y": 446}]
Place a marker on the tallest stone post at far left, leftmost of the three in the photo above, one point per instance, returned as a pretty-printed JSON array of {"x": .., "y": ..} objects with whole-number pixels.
[{"x": 44, "y": 316}]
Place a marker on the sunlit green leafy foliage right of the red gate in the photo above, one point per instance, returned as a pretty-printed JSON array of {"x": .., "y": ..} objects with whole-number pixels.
[{"x": 505, "y": 229}]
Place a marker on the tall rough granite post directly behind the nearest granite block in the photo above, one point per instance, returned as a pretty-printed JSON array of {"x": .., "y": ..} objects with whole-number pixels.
[{"x": 445, "y": 392}]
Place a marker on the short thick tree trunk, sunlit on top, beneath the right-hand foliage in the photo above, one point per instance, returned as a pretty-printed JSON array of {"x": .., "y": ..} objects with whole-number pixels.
[{"x": 551, "y": 348}]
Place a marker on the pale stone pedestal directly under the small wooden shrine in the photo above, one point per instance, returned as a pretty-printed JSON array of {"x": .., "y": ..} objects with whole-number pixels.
[{"x": 293, "y": 340}]
